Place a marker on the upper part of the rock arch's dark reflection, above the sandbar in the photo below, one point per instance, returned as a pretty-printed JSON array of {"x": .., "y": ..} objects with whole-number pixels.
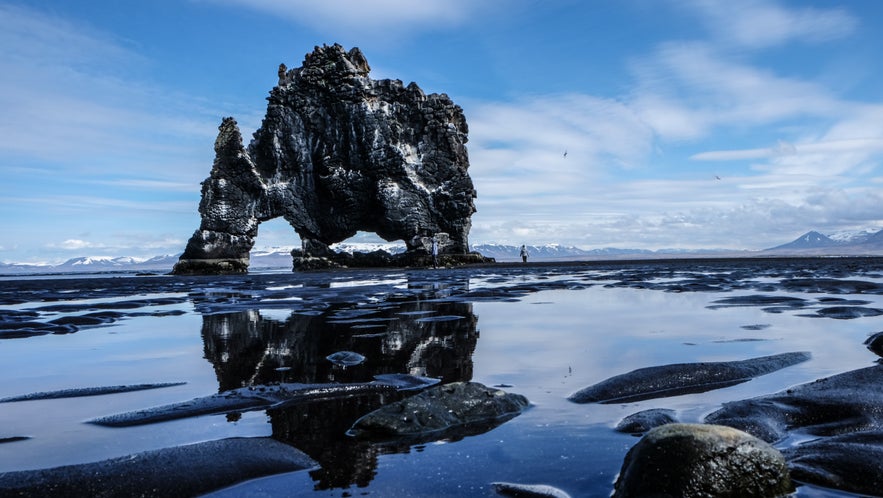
[{"x": 245, "y": 348}]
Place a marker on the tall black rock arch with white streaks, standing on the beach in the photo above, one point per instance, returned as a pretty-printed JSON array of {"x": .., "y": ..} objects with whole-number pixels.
[{"x": 337, "y": 153}]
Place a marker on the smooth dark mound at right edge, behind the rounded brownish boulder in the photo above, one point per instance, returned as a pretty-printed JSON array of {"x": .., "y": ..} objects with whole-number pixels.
[{"x": 843, "y": 403}]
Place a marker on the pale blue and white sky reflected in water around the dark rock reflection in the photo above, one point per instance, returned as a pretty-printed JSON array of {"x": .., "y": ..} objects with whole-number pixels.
[{"x": 546, "y": 345}]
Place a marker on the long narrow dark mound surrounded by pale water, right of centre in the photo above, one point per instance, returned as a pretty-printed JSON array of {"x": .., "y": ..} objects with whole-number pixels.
[{"x": 682, "y": 378}]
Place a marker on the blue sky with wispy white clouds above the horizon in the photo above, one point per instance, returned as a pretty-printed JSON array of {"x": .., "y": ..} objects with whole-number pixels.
[{"x": 688, "y": 123}]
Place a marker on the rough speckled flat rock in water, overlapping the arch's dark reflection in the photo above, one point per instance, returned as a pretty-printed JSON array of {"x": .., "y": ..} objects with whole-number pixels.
[{"x": 459, "y": 408}]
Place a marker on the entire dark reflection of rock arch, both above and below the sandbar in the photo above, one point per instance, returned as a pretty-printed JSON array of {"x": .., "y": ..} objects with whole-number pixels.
[{"x": 412, "y": 337}]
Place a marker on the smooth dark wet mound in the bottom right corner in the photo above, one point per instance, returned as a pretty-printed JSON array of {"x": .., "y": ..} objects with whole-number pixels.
[{"x": 851, "y": 462}]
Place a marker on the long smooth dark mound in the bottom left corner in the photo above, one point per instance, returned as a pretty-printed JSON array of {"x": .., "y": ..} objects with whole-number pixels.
[{"x": 182, "y": 471}]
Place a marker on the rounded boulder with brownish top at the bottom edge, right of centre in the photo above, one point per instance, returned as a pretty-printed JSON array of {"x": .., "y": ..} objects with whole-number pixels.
[{"x": 696, "y": 460}]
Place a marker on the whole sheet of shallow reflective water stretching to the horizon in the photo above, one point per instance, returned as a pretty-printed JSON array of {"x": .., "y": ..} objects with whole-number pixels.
[{"x": 543, "y": 331}]
